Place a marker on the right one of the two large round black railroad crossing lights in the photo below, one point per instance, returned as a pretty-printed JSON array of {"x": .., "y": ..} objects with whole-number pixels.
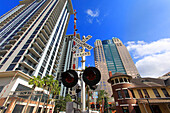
[{"x": 91, "y": 76}]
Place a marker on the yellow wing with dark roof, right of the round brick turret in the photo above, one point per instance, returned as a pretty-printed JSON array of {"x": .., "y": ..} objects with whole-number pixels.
[{"x": 152, "y": 94}]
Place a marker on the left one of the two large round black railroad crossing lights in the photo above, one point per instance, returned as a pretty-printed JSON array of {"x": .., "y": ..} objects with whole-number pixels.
[{"x": 69, "y": 78}]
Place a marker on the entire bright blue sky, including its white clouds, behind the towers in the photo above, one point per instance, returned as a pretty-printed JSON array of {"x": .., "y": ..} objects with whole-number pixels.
[{"x": 142, "y": 25}]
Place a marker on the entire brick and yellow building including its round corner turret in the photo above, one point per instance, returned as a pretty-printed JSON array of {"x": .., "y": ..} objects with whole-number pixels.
[{"x": 140, "y": 95}]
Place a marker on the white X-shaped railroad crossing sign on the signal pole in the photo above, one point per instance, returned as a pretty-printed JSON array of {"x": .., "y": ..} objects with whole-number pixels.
[{"x": 82, "y": 43}]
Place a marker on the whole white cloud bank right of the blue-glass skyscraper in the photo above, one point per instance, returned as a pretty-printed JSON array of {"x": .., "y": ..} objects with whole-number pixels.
[{"x": 152, "y": 58}]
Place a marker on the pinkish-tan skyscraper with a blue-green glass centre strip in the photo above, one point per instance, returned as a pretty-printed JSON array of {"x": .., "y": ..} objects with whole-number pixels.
[{"x": 112, "y": 55}]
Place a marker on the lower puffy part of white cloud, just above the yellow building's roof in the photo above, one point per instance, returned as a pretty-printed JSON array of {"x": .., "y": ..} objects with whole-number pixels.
[{"x": 154, "y": 65}]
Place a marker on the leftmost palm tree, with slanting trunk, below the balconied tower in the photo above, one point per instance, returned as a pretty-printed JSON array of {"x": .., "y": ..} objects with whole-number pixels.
[{"x": 36, "y": 82}]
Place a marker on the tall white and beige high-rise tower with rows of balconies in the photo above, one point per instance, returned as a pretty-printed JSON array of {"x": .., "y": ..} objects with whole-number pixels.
[{"x": 31, "y": 41}]
